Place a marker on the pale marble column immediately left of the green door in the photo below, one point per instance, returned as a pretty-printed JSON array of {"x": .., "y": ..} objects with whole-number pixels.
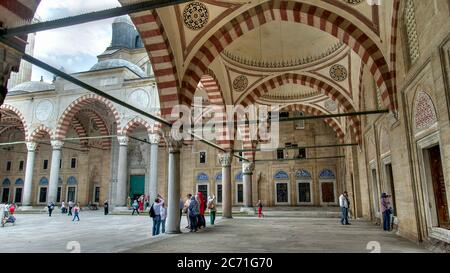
[{"x": 122, "y": 171}]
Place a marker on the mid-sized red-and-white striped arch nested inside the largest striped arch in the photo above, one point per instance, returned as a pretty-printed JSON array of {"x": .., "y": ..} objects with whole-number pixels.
[{"x": 291, "y": 78}]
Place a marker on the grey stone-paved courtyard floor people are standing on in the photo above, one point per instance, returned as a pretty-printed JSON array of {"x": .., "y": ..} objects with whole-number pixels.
[{"x": 122, "y": 233}]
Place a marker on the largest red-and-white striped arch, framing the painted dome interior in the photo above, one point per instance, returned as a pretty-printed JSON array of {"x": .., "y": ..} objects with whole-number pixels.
[{"x": 292, "y": 11}]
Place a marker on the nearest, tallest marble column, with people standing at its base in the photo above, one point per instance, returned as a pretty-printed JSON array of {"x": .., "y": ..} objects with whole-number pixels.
[{"x": 173, "y": 198}]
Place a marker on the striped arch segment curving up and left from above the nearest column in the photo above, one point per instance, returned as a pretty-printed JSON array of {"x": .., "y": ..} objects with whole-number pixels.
[{"x": 161, "y": 57}]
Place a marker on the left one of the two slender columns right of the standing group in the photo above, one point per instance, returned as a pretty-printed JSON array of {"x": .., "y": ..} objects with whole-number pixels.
[{"x": 225, "y": 160}]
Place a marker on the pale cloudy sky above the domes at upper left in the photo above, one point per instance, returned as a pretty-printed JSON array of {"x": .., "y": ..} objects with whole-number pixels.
[{"x": 74, "y": 48}]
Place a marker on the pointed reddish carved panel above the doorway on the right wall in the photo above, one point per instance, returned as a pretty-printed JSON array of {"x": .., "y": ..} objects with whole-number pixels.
[{"x": 425, "y": 113}]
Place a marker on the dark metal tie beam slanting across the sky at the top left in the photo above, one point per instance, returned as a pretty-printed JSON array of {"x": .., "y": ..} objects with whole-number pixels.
[{"x": 89, "y": 17}]
